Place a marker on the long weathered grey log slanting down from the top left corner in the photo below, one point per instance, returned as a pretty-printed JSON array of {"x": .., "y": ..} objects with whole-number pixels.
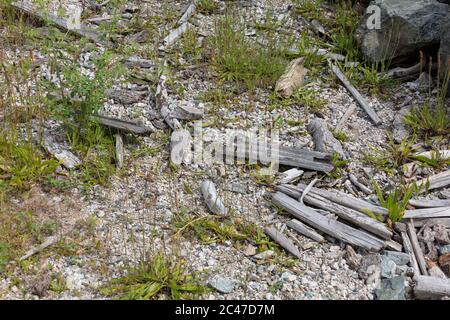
[{"x": 84, "y": 31}]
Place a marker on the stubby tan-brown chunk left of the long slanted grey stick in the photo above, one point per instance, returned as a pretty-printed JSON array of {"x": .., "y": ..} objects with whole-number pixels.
[{"x": 292, "y": 78}]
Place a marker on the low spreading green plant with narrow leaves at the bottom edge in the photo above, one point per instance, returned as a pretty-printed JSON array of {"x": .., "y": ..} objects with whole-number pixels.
[{"x": 162, "y": 274}]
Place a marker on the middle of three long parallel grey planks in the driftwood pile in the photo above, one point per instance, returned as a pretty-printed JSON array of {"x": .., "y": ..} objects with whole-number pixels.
[{"x": 357, "y": 218}]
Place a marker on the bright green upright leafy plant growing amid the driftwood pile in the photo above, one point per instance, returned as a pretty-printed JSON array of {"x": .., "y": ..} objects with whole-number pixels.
[{"x": 396, "y": 200}]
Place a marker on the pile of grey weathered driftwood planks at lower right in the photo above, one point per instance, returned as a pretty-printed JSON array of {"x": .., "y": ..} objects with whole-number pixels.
[{"x": 423, "y": 233}]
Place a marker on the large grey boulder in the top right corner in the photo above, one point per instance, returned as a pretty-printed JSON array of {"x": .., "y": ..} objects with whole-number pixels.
[{"x": 405, "y": 28}]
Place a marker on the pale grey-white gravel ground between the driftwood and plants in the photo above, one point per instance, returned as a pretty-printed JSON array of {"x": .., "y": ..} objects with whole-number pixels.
[{"x": 136, "y": 212}]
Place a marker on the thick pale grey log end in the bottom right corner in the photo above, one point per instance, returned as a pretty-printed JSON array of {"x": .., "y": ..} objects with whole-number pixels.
[{"x": 431, "y": 288}]
